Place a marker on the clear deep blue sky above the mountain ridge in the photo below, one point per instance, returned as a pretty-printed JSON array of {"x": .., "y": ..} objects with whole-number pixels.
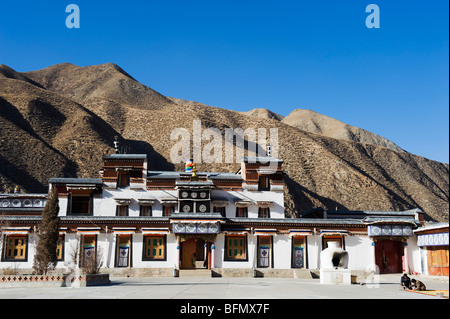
[{"x": 280, "y": 55}]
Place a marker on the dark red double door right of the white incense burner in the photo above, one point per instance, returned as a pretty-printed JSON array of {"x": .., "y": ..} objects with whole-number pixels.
[{"x": 388, "y": 256}]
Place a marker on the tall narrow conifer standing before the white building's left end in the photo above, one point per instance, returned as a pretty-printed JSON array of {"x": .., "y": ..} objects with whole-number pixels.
[{"x": 46, "y": 257}]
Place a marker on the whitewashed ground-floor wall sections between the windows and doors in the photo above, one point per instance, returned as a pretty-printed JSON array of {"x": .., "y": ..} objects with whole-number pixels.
[{"x": 360, "y": 250}]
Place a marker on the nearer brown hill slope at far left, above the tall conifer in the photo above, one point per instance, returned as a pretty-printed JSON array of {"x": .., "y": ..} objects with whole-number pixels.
[{"x": 43, "y": 134}]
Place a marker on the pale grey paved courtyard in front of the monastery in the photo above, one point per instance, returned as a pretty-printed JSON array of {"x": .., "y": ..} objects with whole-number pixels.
[{"x": 191, "y": 288}]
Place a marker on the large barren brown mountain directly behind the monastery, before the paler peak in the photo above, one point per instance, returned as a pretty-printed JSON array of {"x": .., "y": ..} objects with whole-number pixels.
[{"x": 59, "y": 121}]
